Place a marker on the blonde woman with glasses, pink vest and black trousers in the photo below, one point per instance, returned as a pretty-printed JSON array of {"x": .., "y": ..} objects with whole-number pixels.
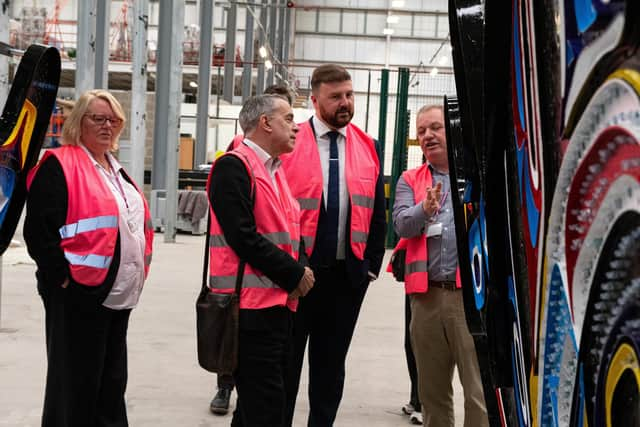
[{"x": 88, "y": 229}]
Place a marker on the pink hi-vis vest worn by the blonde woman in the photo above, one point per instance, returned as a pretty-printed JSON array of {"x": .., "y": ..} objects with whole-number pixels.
[{"x": 90, "y": 233}]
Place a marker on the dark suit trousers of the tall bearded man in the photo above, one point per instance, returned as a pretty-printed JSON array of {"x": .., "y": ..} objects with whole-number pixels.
[{"x": 326, "y": 317}]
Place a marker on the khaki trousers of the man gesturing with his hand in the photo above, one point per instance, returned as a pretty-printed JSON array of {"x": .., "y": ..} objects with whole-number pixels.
[{"x": 441, "y": 341}]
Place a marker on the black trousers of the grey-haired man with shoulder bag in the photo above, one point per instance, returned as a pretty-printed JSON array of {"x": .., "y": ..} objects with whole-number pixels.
[{"x": 264, "y": 349}]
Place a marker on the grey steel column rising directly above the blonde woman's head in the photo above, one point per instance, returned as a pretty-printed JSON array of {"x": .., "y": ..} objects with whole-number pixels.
[{"x": 85, "y": 51}]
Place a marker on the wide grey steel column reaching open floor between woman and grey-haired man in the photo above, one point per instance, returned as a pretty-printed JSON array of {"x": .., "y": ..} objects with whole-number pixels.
[{"x": 167, "y": 114}]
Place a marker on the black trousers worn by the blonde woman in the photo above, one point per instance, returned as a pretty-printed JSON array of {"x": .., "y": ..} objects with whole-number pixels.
[{"x": 87, "y": 360}]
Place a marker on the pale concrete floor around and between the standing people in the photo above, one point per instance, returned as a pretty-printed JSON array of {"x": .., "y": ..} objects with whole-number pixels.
[{"x": 166, "y": 386}]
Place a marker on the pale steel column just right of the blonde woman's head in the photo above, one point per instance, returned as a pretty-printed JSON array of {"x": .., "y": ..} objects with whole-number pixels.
[{"x": 138, "y": 127}]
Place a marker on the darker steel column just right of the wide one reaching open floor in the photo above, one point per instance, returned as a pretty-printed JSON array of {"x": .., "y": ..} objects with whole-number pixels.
[{"x": 204, "y": 80}]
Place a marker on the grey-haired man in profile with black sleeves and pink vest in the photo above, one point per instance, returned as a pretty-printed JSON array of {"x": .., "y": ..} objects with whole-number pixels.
[{"x": 255, "y": 230}]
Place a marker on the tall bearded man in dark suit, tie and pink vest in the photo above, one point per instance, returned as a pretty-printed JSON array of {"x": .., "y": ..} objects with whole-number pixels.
[{"x": 336, "y": 175}]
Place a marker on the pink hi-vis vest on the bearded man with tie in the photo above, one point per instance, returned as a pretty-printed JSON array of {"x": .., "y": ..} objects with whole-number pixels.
[{"x": 305, "y": 179}]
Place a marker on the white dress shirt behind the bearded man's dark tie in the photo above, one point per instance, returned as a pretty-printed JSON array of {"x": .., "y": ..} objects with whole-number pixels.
[{"x": 323, "y": 149}]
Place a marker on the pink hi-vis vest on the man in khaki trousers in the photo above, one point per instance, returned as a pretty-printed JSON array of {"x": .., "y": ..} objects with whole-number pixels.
[{"x": 416, "y": 277}]
